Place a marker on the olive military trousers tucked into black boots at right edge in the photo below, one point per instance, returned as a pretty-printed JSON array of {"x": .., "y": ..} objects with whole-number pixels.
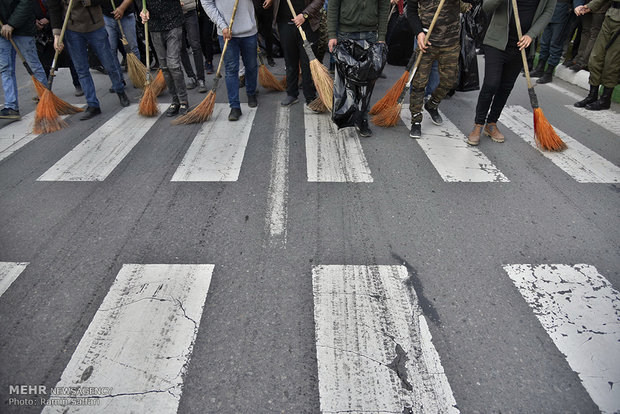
[{"x": 604, "y": 64}]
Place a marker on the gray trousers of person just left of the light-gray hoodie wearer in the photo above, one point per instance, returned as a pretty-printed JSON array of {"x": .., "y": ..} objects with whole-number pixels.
[{"x": 168, "y": 45}]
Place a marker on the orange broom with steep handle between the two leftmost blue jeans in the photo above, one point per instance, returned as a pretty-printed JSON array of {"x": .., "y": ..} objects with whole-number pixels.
[{"x": 50, "y": 107}]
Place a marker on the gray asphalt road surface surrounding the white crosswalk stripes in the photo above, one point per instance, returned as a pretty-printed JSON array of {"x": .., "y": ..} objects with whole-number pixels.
[{"x": 255, "y": 349}]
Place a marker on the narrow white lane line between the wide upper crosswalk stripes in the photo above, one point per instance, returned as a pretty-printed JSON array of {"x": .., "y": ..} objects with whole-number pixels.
[{"x": 278, "y": 187}]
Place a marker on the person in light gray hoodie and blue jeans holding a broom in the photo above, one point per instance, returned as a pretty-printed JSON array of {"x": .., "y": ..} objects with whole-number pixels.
[{"x": 242, "y": 41}]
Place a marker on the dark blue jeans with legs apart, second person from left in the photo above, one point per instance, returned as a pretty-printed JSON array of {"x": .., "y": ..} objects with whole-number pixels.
[{"x": 76, "y": 43}]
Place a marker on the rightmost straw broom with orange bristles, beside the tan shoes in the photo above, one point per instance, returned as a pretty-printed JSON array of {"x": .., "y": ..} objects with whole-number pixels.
[{"x": 544, "y": 134}]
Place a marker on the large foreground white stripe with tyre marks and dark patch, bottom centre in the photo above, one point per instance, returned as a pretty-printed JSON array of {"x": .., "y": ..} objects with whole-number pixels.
[{"x": 374, "y": 349}]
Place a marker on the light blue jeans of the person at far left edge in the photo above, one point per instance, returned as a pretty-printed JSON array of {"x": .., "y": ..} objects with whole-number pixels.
[{"x": 28, "y": 48}]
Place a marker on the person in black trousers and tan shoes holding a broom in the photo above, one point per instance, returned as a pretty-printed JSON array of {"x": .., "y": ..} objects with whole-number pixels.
[{"x": 502, "y": 58}]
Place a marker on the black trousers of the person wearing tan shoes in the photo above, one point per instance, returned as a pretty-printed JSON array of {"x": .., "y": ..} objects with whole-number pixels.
[{"x": 501, "y": 69}]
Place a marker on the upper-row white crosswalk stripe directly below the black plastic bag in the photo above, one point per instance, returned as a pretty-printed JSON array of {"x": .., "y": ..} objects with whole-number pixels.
[{"x": 333, "y": 155}]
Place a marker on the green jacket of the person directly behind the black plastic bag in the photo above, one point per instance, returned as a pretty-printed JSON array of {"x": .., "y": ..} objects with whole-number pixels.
[{"x": 357, "y": 16}]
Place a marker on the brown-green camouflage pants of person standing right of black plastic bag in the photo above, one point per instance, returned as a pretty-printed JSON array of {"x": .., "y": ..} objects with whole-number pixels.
[{"x": 448, "y": 60}]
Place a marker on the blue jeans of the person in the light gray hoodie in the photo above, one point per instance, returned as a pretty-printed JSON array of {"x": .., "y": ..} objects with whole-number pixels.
[{"x": 247, "y": 48}]
